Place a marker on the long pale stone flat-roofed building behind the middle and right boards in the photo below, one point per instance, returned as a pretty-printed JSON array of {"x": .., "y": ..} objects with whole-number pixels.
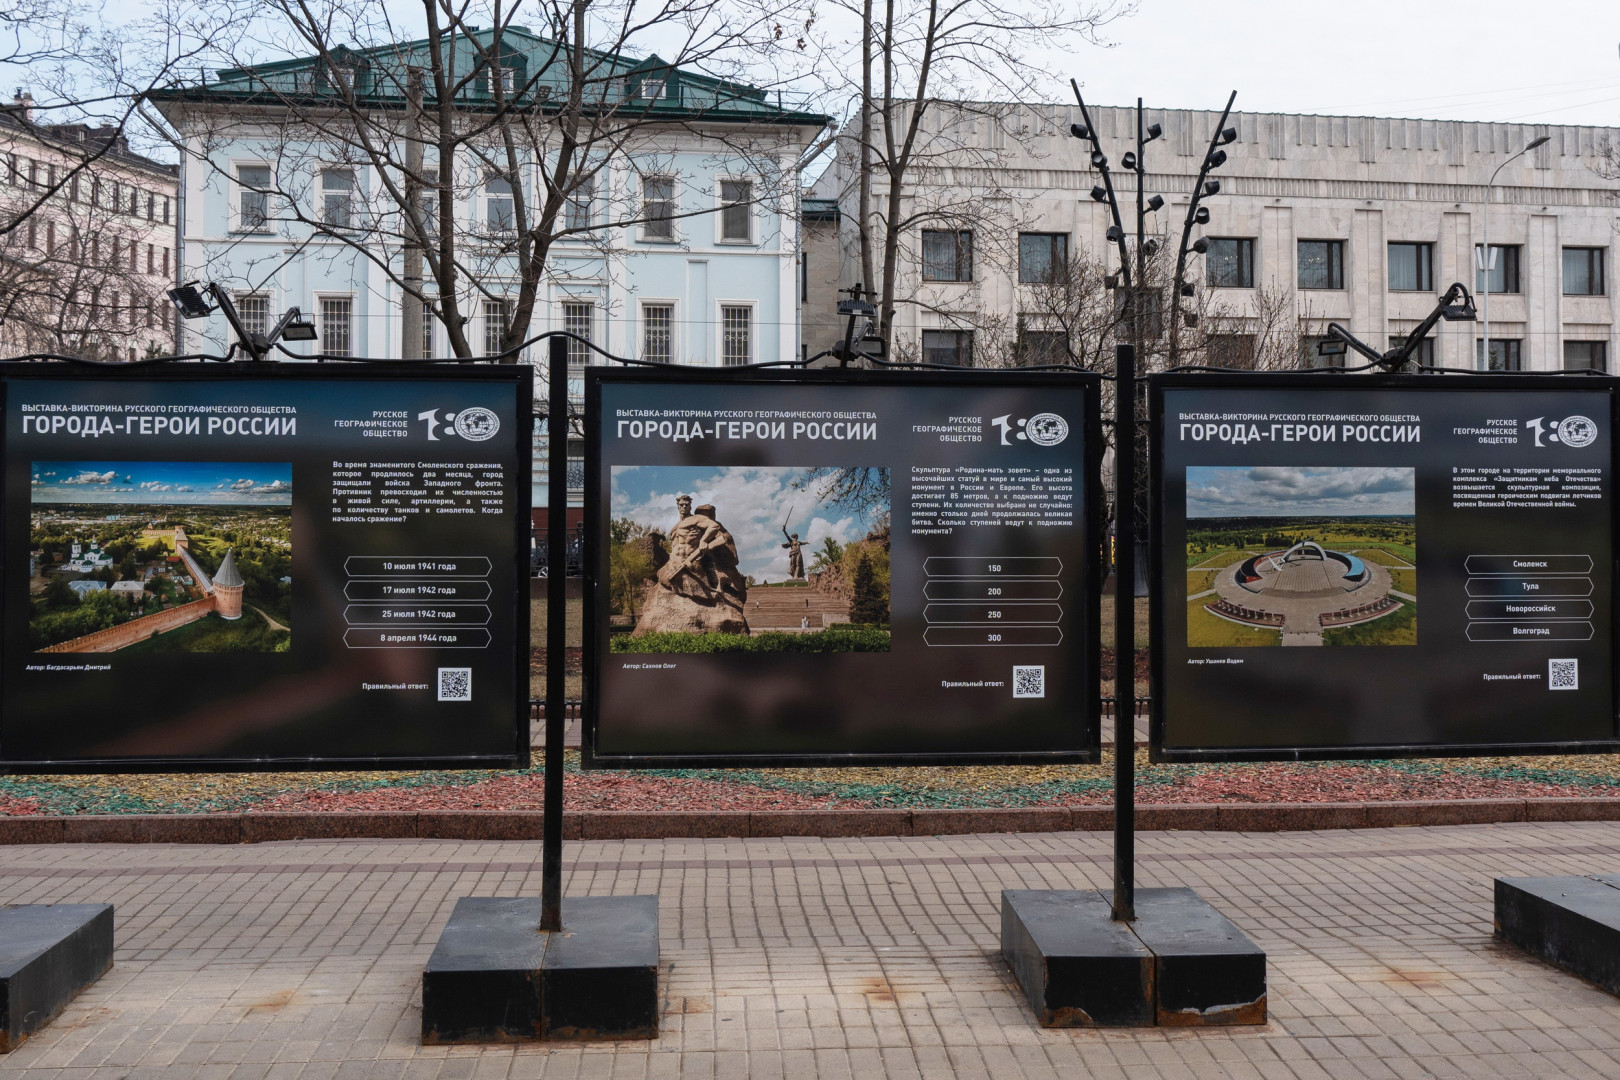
[{"x": 1354, "y": 219}]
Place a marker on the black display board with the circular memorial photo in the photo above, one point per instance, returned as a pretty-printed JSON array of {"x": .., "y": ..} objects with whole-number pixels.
[{"x": 1431, "y": 558}]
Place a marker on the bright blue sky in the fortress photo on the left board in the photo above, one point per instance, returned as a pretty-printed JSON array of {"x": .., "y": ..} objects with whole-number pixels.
[{"x": 166, "y": 483}]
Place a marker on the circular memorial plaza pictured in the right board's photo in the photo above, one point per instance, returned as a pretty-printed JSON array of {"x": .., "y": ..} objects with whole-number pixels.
[{"x": 1302, "y": 592}]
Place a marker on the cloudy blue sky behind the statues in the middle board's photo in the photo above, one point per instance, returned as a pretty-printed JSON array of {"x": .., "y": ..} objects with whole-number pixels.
[{"x": 751, "y": 503}]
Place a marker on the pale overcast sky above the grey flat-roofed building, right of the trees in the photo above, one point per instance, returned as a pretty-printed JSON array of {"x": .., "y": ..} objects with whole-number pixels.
[{"x": 1553, "y": 61}]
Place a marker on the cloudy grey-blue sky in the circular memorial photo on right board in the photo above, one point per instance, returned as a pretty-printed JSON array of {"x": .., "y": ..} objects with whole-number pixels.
[{"x": 1277, "y": 491}]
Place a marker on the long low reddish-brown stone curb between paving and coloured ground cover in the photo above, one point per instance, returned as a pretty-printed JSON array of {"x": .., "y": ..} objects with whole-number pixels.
[{"x": 633, "y": 825}]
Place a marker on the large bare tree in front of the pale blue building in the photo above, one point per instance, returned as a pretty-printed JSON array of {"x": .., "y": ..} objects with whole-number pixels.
[{"x": 380, "y": 142}]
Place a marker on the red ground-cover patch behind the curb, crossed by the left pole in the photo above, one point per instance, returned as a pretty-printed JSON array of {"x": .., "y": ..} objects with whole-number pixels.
[{"x": 581, "y": 793}]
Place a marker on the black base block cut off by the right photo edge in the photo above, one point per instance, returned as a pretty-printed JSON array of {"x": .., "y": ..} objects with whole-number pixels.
[{"x": 1569, "y": 922}]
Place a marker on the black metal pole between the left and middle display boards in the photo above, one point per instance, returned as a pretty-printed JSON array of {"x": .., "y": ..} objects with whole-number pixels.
[{"x": 556, "y": 627}]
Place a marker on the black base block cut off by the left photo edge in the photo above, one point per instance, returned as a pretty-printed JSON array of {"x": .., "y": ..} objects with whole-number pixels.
[{"x": 48, "y": 955}]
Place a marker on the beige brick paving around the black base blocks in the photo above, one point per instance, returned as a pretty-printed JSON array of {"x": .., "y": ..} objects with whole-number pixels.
[{"x": 843, "y": 958}]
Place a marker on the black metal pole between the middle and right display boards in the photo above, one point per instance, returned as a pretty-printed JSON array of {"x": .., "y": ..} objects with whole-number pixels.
[{"x": 1125, "y": 634}]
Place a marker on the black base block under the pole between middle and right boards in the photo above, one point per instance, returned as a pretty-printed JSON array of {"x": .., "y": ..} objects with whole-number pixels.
[{"x": 1179, "y": 964}]
